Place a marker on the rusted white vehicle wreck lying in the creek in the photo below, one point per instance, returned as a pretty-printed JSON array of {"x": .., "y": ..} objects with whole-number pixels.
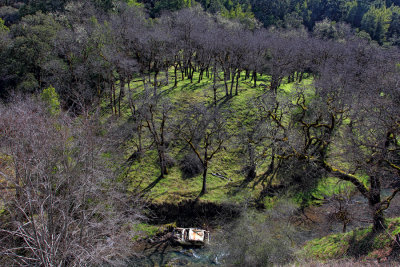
[{"x": 191, "y": 236}]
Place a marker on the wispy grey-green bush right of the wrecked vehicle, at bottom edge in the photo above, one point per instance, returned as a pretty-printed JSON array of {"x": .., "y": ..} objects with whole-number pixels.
[{"x": 260, "y": 239}]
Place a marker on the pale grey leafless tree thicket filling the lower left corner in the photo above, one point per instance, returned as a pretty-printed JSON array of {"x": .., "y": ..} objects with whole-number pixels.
[{"x": 60, "y": 196}]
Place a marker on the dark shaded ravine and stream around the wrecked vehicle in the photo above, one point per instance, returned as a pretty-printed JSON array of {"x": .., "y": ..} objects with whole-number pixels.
[{"x": 162, "y": 251}]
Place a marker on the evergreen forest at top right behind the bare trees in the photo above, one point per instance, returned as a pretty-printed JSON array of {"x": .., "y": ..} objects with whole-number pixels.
[{"x": 378, "y": 19}]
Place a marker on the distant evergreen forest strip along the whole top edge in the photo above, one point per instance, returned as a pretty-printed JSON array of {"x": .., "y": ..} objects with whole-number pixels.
[{"x": 378, "y": 19}]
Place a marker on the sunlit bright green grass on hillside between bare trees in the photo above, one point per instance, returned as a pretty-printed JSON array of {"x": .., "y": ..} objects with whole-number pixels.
[{"x": 239, "y": 110}]
